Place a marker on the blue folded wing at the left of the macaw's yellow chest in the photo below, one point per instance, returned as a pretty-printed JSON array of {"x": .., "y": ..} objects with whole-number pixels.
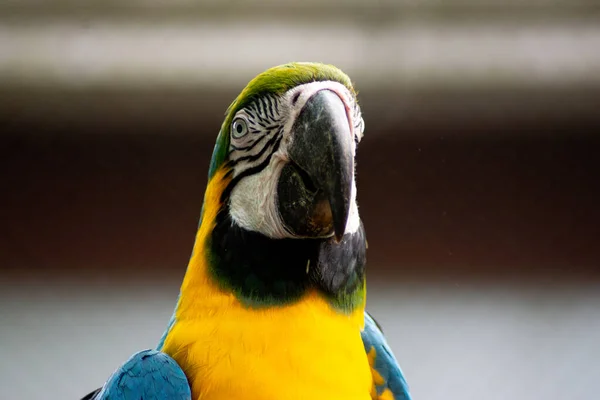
[{"x": 149, "y": 374}]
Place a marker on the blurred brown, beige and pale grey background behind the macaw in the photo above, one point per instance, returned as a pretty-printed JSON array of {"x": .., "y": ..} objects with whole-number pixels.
[{"x": 478, "y": 180}]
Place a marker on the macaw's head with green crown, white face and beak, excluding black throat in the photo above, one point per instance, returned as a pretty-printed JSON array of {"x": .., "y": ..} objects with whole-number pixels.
[{"x": 289, "y": 141}]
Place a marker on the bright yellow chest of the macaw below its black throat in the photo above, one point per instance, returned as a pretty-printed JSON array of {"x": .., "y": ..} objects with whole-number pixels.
[{"x": 302, "y": 351}]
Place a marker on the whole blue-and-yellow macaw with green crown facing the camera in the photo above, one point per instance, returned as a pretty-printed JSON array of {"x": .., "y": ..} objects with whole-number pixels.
[{"x": 272, "y": 304}]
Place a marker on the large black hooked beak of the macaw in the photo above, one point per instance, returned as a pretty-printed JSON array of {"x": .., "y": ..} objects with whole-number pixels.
[{"x": 314, "y": 189}]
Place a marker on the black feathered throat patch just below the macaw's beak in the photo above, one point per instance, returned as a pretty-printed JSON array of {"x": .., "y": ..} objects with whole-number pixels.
[{"x": 263, "y": 272}]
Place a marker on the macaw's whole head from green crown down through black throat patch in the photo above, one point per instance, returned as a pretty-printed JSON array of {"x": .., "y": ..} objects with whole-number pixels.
[{"x": 280, "y": 214}]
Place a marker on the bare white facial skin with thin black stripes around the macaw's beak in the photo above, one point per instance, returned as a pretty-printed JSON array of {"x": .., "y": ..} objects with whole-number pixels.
[{"x": 253, "y": 201}]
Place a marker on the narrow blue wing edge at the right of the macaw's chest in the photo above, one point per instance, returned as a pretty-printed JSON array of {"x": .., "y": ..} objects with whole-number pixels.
[{"x": 385, "y": 362}]
